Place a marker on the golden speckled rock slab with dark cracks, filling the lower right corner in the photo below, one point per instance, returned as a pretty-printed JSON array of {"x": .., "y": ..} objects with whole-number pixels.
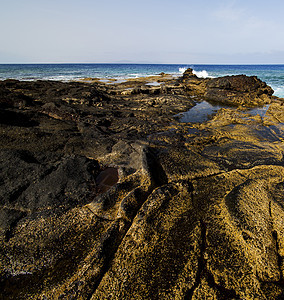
[{"x": 177, "y": 246}]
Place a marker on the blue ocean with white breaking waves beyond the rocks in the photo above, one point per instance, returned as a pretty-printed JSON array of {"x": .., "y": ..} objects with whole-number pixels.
[{"x": 273, "y": 75}]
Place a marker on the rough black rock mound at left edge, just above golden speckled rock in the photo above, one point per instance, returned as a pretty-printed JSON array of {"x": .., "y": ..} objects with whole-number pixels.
[{"x": 35, "y": 183}]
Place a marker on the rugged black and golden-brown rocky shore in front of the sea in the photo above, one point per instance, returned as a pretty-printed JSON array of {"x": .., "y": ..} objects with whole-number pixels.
[{"x": 105, "y": 194}]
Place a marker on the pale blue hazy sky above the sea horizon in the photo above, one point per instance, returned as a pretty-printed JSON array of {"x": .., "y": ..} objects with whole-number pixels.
[{"x": 148, "y": 31}]
